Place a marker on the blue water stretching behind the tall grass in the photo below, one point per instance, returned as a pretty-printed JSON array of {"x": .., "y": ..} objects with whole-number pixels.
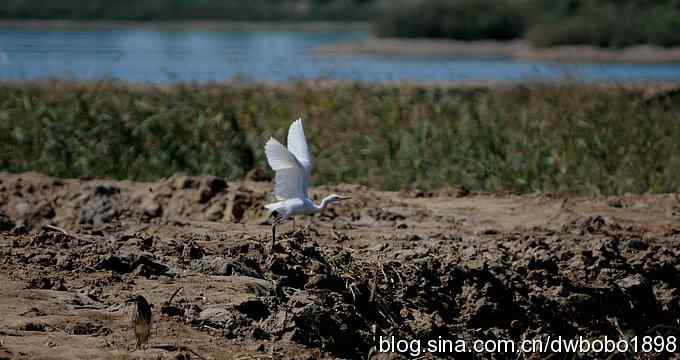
[{"x": 162, "y": 56}]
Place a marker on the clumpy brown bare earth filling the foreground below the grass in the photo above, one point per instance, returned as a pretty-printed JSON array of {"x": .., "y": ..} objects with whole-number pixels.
[{"x": 414, "y": 265}]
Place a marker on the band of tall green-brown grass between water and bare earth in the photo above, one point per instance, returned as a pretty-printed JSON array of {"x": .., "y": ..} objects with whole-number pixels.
[{"x": 565, "y": 138}]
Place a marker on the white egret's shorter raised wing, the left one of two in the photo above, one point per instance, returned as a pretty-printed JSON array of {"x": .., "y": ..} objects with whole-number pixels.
[{"x": 291, "y": 177}]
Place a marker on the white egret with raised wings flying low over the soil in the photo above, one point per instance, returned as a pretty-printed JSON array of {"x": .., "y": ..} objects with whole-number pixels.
[{"x": 292, "y": 166}]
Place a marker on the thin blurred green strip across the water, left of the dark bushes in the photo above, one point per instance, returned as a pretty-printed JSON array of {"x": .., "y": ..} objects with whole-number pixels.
[{"x": 168, "y": 10}]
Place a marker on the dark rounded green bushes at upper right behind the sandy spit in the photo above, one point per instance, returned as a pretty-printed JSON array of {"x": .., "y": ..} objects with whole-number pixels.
[{"x": 604, "y": 23}]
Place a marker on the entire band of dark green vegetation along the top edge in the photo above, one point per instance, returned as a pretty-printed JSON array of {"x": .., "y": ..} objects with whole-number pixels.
[{"x": 605, "y": 23}]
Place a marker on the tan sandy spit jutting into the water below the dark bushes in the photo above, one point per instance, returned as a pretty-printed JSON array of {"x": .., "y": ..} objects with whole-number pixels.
[{"x": 518, "y": 49}]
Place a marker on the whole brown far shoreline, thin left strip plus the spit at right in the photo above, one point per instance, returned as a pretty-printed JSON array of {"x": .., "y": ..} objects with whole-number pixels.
[{"x": 395, "y": 47}]
